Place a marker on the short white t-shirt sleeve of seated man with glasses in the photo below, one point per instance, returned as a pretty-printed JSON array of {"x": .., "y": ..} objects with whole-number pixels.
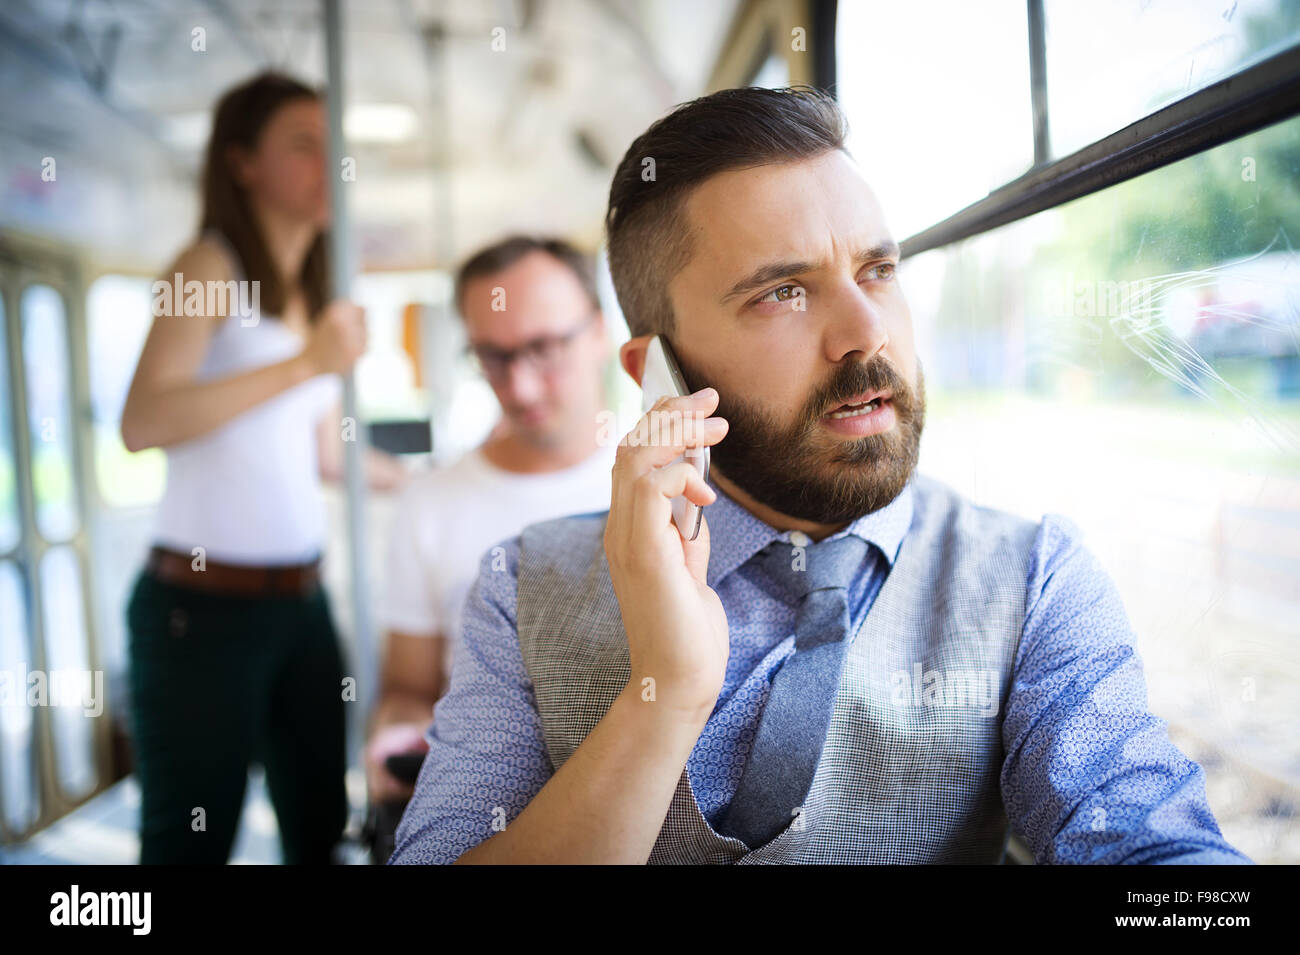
[{"x": 410, "y": 600}]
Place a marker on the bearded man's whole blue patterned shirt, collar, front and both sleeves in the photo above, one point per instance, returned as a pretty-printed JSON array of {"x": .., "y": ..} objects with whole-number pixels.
[{"x": 1077, "y": 728}]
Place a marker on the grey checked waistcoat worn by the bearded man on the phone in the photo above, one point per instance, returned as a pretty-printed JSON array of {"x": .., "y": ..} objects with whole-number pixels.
[{"x": 911, "y": 767}]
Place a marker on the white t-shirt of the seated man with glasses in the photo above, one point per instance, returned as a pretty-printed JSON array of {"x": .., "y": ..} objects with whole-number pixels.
[{"x": 445, "y": 520}]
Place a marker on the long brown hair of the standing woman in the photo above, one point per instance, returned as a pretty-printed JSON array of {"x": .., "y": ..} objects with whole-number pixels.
[{"x": 242, "y": 115}]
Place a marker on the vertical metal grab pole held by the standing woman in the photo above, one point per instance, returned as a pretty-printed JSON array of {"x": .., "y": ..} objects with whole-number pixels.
[{"x": 343, "y": 268}]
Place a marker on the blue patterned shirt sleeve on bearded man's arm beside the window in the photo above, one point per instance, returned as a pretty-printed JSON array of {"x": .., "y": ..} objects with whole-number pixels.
[{"x": 1091, "y": 776}]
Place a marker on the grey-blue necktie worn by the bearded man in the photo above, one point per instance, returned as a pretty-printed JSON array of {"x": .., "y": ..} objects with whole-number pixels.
[{"x": 798, "y": 715}]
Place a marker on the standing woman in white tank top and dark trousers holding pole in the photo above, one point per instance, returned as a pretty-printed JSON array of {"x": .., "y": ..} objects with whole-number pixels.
[{"x": 233, "y": 653}]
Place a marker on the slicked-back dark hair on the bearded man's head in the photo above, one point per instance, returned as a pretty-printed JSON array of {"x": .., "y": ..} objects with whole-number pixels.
[{"x": 733, "y": 129}]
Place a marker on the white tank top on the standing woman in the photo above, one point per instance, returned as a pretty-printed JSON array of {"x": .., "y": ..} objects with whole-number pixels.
[{"x": 249, "y": 492}]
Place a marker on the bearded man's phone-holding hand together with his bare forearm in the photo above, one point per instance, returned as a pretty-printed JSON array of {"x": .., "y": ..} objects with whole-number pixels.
[{"x": 608, "y": 802}]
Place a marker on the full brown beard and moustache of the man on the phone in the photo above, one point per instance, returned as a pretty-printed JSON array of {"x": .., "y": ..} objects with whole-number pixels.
[{"x": 818, "y": 477}]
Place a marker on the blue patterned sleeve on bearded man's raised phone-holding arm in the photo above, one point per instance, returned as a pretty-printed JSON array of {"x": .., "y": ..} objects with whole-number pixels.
[{"x": 487, "y": 752}]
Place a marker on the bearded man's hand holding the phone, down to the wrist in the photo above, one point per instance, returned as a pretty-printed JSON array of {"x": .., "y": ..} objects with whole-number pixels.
[{"x": 677, "y": 626}]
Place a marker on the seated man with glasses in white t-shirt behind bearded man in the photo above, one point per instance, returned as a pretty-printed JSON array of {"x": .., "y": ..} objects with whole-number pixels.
[{"x": 536, "y": 332}]
